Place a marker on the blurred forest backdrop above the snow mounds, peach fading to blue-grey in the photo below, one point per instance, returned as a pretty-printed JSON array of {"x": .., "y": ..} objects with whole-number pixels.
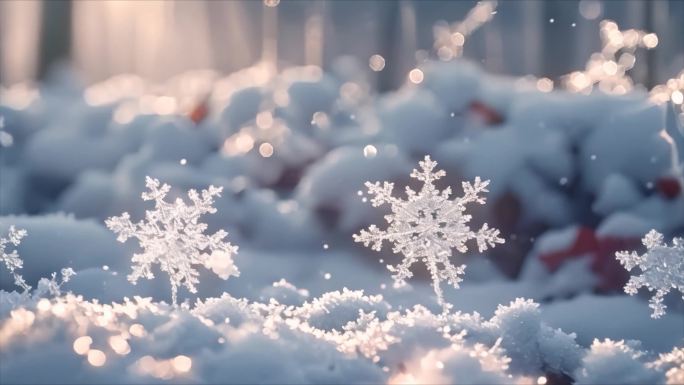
[{"x": 158, "y": 39}]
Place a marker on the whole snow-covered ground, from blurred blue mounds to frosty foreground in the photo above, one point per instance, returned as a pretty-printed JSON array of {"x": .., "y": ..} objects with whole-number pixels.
[{"x": 574, "y": 179}]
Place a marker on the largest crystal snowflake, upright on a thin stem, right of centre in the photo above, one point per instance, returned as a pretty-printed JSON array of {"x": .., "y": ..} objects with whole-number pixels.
[{"x": 427, "y": 226}]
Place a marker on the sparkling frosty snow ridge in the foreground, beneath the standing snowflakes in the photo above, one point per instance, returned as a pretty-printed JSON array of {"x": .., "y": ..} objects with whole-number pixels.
[{"x": 228, "y": 340}]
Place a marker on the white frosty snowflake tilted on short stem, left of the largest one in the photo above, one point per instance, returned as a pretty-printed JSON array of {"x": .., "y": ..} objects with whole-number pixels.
[{"x": 172, "y": 237}]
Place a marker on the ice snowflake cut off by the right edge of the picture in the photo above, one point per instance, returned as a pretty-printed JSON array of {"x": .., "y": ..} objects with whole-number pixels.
[{"x": 662, "y": 269}]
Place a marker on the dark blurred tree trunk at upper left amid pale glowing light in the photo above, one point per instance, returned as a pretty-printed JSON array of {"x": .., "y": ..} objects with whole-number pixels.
[{"x": 55, "y": 35}]
